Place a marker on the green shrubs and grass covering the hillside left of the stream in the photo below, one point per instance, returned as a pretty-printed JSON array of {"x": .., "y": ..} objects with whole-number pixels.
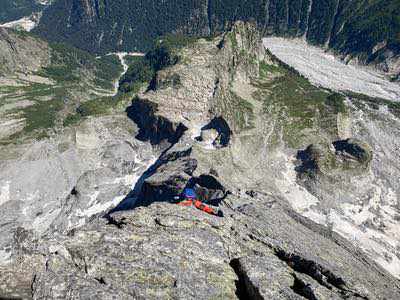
[{"x": 76, "y": 74}]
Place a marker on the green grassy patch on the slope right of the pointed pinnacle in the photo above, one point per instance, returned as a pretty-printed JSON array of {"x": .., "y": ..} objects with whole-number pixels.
[{"x": 299, "y": 107}]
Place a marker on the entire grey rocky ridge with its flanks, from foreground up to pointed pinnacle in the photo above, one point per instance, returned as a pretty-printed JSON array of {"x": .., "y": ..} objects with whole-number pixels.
[{"x": 229, "y": 119}]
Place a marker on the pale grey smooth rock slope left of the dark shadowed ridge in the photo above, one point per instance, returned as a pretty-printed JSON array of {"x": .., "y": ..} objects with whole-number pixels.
[{"x": 72, "y": 178}]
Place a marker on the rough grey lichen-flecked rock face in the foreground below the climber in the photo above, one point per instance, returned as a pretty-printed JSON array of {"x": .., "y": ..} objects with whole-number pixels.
[{"x": 256, "y": 252}]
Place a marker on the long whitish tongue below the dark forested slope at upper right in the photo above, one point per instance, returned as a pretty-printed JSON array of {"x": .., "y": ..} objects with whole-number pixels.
[{"x": 325, "y": 70}]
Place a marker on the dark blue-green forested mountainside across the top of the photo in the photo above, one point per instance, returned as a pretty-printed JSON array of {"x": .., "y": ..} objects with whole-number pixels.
[{"x": 352, "y": 27}]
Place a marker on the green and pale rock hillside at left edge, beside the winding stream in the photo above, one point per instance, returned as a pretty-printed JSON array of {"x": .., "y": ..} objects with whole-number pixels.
[{"x": 41, "y": 83}]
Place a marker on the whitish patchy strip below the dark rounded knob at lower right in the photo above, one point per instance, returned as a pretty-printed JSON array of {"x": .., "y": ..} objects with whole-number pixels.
[{"x": 372, "y": 226}]
